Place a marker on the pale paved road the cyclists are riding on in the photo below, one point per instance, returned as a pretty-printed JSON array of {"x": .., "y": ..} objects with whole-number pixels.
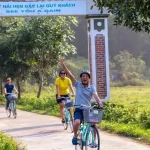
[{"x": 41, "y": 132}]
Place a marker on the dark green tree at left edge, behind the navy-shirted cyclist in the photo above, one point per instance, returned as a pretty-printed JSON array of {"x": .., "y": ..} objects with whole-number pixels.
[{"x": 10, "y": 64}]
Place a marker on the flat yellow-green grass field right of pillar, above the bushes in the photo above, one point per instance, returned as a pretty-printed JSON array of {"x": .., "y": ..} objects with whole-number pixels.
[{"x": 132, "y": 96}]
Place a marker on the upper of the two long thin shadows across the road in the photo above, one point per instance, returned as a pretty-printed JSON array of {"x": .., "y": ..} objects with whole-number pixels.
[{"x": 32, "y": 127}]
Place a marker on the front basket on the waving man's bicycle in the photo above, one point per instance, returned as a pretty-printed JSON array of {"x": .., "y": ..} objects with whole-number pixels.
[{"x": 92, "y": 115}]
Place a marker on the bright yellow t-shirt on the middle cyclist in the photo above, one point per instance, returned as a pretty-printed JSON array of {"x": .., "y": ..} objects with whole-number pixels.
[{"x": 63, "y": 85}]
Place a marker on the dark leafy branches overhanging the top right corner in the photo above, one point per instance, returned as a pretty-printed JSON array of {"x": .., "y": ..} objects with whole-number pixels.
[{"x": 134, "y": 14}]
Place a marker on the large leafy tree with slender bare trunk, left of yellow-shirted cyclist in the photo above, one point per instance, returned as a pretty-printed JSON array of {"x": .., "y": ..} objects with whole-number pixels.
[{"x": 42, "y": 40}]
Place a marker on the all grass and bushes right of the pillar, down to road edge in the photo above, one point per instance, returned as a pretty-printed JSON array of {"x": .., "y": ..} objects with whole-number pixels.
[{"x": 128, "y": 112}]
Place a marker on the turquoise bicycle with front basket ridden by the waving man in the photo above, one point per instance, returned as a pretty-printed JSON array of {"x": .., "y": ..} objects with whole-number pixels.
[{"x": 88, "y": 133}]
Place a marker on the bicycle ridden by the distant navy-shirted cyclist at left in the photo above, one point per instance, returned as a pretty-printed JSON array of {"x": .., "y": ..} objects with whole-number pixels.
[{"x": 12, "y": 105}]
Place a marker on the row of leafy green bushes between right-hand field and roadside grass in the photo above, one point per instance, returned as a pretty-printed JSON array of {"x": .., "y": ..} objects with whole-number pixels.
[{"x": 115, "y": 112}]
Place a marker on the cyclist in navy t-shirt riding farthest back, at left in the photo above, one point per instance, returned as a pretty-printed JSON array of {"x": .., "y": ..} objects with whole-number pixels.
[{"x": 9, "y": 88}]
